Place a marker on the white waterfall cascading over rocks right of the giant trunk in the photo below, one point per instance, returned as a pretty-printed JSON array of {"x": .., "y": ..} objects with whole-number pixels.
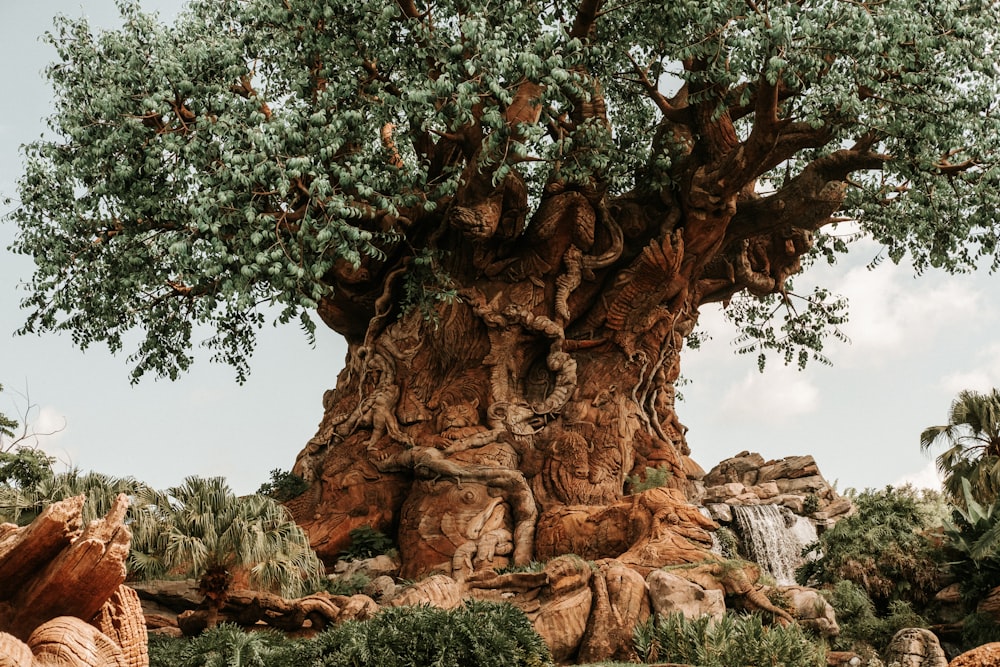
[{"x": 773, "y": 537}]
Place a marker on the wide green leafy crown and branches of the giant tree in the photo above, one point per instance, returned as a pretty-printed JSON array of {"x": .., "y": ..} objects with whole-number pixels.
[{"x": 300, "y": 154}]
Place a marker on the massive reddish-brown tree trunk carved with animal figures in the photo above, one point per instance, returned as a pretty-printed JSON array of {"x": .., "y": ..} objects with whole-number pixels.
[{"x": 478, "y": 435}]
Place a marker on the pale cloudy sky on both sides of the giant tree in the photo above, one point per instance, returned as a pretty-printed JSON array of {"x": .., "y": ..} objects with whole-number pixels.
[{"x": 915, "y": 342}]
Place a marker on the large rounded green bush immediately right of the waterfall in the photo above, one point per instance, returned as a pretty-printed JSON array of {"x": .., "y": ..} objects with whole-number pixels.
[{"x": 882, "y": 548}]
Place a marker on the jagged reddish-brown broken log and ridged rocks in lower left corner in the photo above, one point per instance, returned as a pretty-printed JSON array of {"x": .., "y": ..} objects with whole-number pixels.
[{"x": 62, "y": 599}]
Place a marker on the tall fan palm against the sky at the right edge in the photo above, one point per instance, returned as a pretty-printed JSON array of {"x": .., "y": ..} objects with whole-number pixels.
[{"x": 973, "y": 438}]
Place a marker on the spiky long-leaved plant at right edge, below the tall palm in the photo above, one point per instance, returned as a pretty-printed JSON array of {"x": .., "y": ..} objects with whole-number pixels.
[{"x": 973, "y": 545}]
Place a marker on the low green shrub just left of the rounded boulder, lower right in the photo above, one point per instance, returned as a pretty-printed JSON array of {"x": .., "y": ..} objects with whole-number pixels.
[{"x": 860, "y": 625}]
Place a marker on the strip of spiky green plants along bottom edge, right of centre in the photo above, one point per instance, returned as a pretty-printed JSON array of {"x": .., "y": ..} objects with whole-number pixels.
[{"x": 732, "y": 641}]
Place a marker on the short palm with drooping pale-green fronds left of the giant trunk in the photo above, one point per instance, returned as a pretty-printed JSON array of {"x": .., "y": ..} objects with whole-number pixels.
[{"x": 203, "y": 530}]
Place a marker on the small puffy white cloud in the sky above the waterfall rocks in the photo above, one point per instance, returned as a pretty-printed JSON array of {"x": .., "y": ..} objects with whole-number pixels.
[{"x": 772, "y": 397}]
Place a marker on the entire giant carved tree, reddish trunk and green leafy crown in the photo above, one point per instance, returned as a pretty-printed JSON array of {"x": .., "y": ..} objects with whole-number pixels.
[{"x": 511, "y": 211}]
